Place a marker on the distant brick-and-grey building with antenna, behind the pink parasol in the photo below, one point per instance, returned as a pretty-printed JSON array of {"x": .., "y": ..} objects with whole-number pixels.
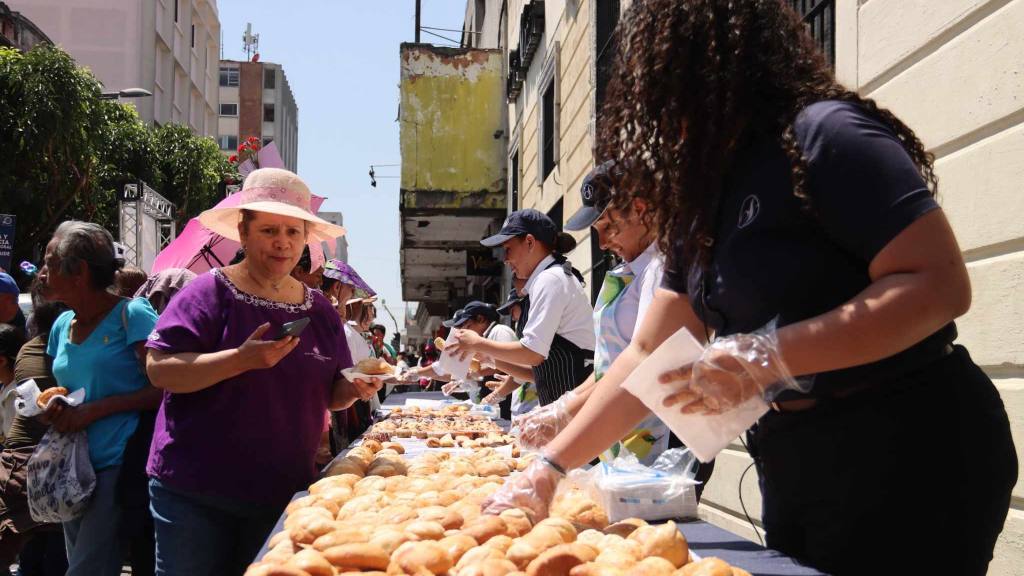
[{"x": 257, "y": 101}]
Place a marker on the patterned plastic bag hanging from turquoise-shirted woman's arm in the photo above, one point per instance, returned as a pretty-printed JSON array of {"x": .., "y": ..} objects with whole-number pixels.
[{"x": 61, "y": 478}]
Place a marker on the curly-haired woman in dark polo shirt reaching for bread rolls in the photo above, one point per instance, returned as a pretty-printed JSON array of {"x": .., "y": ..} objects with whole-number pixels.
[{"x": 801, "y": 232}]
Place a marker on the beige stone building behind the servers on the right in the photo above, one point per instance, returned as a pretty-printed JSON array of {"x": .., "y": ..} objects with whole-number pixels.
[{"x": 951, "y": 69}]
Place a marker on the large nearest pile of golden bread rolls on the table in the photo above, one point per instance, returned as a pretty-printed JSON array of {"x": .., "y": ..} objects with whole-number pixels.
[{"x": 426, "y": 521}]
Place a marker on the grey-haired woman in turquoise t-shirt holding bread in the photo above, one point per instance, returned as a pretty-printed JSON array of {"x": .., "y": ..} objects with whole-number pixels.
[{"x": 97, "y": 346}]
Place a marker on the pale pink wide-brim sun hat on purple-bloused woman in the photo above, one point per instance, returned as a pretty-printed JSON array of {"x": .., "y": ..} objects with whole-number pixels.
[{"x": 274, "y": 191}]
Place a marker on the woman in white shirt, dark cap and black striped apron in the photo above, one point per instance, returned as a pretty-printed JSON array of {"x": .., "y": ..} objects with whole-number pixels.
[{"x": 559, "y": 338}]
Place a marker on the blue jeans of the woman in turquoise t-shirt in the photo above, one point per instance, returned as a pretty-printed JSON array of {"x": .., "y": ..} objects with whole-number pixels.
[{"x": 94, "y": 540}]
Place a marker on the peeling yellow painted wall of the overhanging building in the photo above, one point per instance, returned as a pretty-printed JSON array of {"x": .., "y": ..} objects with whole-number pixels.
[{"x": 452, "y": 106}]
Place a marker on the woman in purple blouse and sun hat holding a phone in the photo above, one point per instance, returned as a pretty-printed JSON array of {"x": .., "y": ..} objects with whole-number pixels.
[{"x": 243, "y": 409}]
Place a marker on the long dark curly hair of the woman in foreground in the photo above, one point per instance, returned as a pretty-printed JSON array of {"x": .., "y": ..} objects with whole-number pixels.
[{"x": 694, "y": 83}]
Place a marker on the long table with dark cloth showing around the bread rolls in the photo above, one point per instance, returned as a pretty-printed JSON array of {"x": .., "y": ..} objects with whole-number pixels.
[{"x": 705, "y": 540}]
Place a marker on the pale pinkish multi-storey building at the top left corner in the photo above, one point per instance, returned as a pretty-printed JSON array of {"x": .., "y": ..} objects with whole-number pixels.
[{"x": 168, "y": 48}]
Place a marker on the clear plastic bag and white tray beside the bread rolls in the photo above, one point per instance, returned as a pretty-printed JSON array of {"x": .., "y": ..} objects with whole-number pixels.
[{"x": 628, "y": 489}]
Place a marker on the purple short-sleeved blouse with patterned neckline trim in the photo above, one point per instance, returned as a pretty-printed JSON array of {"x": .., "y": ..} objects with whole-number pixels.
[{"x": 254, "y": 437}]
